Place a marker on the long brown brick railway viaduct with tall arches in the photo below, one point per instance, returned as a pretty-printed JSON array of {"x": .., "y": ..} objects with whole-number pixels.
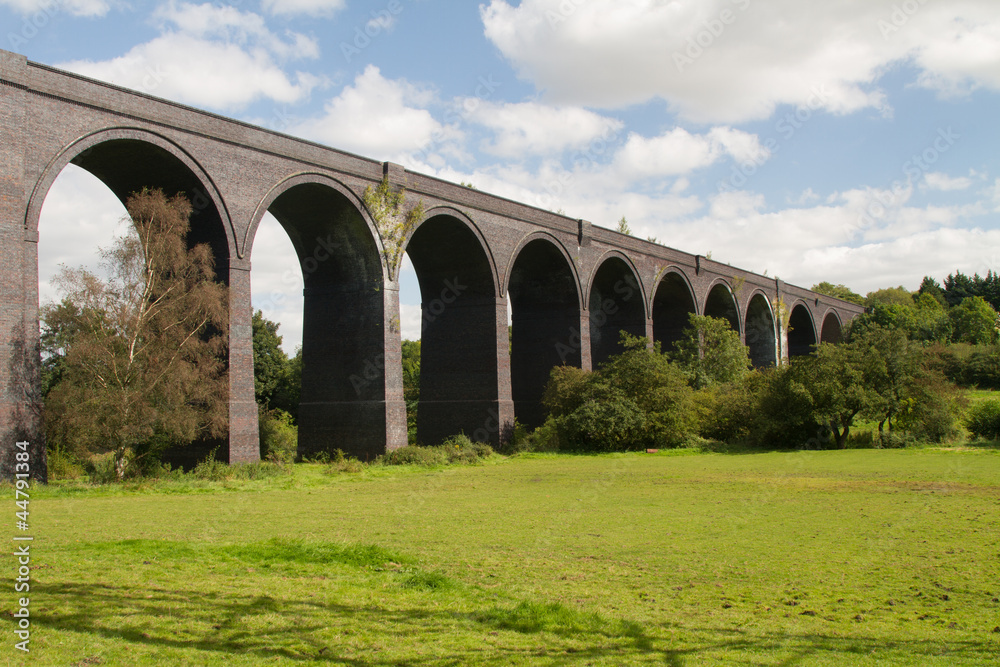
[{"x": 571, "y": 287}]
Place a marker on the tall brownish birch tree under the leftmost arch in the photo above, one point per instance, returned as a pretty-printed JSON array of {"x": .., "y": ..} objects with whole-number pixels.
[{"x": 146, "y": 365}]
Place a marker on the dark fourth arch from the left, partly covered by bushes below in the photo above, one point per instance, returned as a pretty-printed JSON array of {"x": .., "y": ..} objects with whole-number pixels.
[{"x": 545, "y": 320}]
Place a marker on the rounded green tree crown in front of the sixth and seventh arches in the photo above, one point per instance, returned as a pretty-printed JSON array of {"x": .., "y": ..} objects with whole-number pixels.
[{"x": 710, "y": 352}]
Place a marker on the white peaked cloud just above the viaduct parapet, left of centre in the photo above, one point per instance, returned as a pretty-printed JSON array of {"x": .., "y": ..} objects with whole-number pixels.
[{"x": 376, "y": 117}]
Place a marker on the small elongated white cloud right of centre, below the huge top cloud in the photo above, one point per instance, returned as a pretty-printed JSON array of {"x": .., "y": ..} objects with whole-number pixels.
[{"x": 679, "y": 152}]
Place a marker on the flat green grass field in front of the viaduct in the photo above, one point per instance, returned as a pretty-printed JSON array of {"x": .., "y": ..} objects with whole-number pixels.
[{"x": 868, "y": 557}]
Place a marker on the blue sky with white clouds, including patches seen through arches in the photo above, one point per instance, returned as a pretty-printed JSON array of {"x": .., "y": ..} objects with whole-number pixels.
[{"x": 850, "y": 141}]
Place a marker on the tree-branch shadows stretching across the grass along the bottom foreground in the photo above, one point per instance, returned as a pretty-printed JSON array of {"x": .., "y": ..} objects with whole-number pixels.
[{"x": 268, "y": 628}]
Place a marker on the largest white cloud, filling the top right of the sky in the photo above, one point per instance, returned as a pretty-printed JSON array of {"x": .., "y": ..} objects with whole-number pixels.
[{"x": 736, "y": 60}]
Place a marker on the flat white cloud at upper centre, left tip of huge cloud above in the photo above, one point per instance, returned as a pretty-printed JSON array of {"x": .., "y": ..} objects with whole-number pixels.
[{"x": 539, "y": 129}]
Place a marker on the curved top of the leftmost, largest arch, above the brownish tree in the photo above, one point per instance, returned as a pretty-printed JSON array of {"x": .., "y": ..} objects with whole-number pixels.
[{"x": 128, "y": 159}]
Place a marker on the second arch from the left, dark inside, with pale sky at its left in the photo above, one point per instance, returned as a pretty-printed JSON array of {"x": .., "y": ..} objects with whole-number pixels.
[{"x": 344, "y": 392}]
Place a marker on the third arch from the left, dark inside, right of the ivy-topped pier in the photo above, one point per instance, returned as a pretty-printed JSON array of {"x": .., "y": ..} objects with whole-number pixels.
[{"x": 462, "y": 324}]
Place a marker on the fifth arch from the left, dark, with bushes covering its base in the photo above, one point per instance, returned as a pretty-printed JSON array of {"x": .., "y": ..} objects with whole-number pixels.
[{"x": 616, "y": 303}]
